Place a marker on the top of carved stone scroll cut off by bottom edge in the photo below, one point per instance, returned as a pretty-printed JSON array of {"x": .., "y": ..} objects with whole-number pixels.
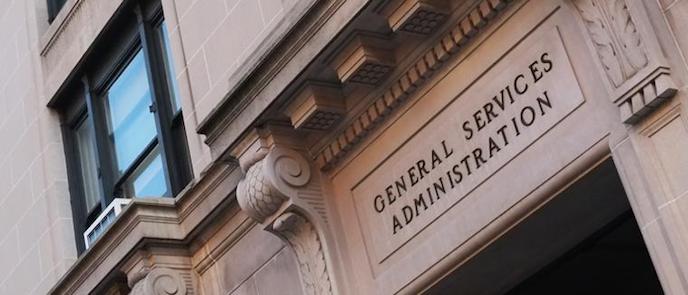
[{"x": 161, "y": 281}]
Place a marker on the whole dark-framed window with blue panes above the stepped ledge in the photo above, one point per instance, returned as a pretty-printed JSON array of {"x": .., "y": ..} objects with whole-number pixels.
[{"x": 123, "y": 125}]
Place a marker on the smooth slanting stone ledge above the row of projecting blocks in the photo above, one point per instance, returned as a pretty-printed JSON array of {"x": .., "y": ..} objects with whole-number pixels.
[{"x": 263, "y": 82}]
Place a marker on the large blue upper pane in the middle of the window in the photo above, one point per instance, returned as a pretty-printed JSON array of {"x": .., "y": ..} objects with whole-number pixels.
[{"x": 132, "y": 125}]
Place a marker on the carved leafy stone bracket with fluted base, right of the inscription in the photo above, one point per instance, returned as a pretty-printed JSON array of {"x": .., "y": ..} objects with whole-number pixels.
[{"x": 630, "y": 56}]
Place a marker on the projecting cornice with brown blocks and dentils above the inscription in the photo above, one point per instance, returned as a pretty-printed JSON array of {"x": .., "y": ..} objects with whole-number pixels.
[{"x": 372, "y": 64}]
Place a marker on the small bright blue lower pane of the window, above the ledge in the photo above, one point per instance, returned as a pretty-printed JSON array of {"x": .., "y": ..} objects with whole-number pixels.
[{"x": 149, "y": 179}]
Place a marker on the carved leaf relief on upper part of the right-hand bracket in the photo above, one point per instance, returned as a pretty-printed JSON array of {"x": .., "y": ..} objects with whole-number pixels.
[{"x": 616, "y": 39}]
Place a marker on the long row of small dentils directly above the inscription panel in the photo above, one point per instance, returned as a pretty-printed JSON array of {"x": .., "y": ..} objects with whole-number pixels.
[{"x": 408, "y": 82}]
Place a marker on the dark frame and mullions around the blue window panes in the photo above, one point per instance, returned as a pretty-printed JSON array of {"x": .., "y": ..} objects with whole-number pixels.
[{"x": 136, "y": 27}]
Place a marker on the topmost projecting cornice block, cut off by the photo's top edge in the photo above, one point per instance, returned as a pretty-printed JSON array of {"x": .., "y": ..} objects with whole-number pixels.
[{"x": 418, "y": 16}]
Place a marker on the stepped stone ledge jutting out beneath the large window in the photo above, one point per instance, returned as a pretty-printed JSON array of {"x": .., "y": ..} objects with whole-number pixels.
[{"x": 162, "y": 220}]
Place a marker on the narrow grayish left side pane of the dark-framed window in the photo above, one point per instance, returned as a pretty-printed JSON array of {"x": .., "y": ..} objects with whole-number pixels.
[{"x": 87, "y": 161}]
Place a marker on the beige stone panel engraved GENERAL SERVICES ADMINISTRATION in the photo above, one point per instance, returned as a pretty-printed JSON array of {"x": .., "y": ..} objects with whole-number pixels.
[{"x": 512, "y": 104}]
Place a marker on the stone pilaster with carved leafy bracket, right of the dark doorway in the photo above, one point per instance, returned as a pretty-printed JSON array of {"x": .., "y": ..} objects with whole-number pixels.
[{"x": 650, "y": 145}]
